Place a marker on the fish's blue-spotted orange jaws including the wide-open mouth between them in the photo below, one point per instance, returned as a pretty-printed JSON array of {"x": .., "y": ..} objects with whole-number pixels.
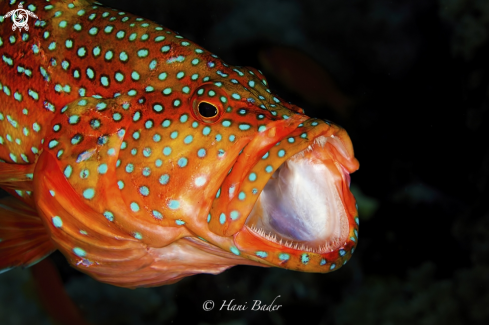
[{"x": 279, "y": 223}]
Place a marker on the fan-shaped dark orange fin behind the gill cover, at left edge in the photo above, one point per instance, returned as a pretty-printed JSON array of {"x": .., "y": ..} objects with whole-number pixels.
[{"x": 23, "y": 239}]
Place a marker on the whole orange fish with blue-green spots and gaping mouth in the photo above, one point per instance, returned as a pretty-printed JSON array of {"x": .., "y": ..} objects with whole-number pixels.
[{"x": 144, "y": 158}]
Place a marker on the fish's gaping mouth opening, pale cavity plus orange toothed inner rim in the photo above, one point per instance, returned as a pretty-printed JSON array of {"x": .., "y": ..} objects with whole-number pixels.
[{"x": 303, "y": 206}]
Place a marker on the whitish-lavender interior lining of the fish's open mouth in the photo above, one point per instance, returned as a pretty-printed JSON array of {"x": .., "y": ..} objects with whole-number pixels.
[{"x": 301, "y": 207}]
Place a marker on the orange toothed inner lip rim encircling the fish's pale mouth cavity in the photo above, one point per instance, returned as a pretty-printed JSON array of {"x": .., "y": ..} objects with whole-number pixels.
[{"x": 342, "y": 170}]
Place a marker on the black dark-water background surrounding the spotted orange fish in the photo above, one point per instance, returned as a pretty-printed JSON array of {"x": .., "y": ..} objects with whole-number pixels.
[{"x": 415, "y": 76}]
